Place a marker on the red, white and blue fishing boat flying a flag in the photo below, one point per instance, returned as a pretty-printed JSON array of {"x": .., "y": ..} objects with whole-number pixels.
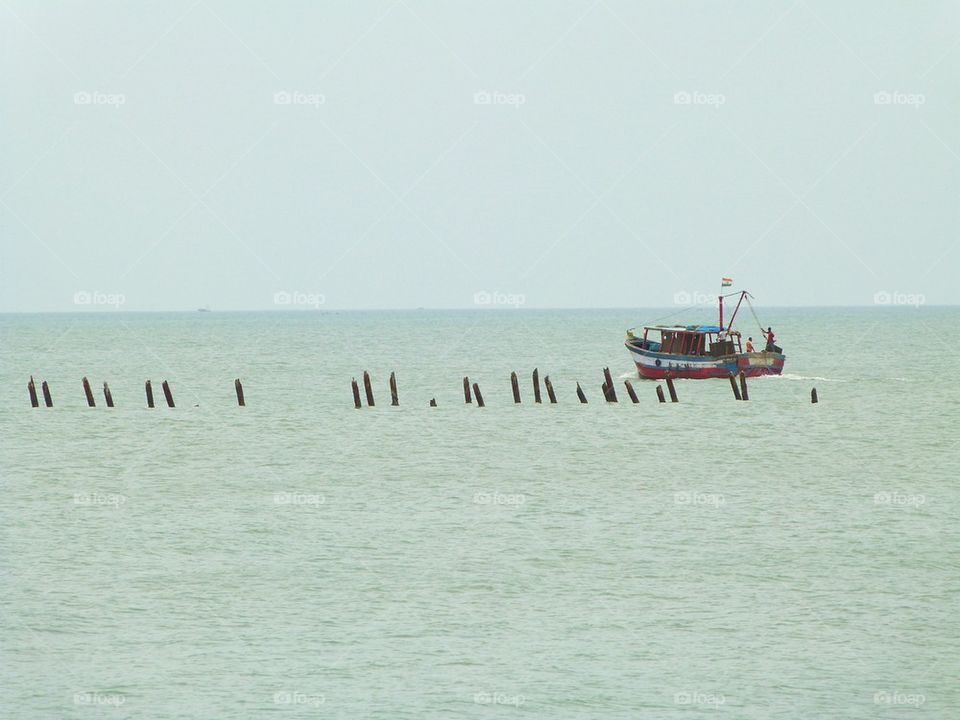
[{"x": 703, "y": 351}]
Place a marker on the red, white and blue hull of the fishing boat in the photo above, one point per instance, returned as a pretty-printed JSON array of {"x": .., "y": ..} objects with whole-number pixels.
[{"x": 656, "y": 365}]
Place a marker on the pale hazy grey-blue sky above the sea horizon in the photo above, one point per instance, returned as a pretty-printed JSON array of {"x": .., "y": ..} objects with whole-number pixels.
[{"x": 170, "y": 155}]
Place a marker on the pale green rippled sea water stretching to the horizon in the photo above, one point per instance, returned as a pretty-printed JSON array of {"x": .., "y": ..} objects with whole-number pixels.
[{"x": 300, "y": 558}]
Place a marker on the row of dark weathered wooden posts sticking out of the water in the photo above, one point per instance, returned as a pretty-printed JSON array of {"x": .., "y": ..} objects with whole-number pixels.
[{"x": 609, "y": 391}]
